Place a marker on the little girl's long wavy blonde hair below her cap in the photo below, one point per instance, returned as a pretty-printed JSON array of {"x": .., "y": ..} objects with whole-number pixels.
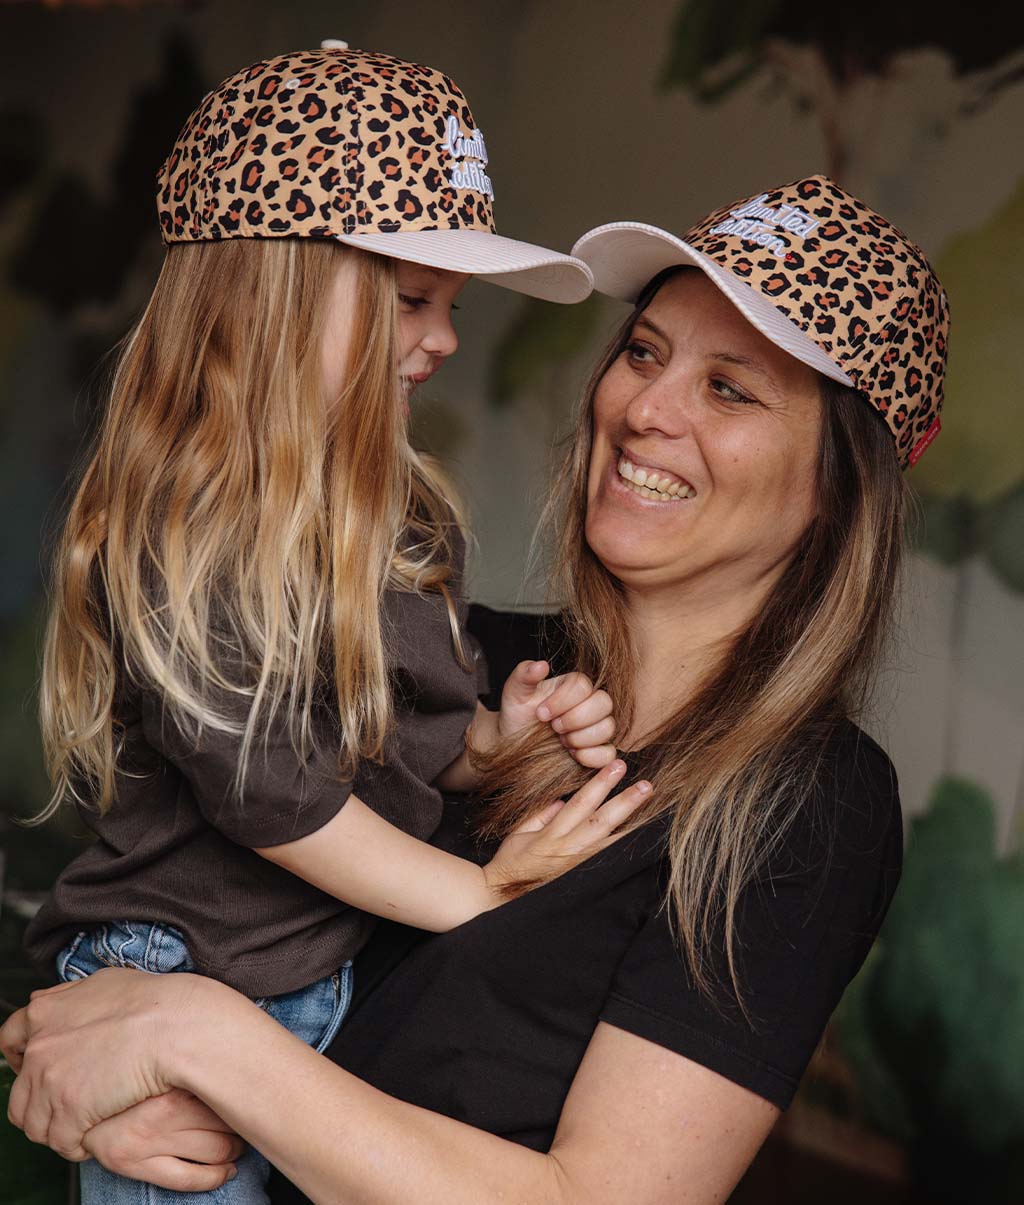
[{"x": 234, "y": 531}]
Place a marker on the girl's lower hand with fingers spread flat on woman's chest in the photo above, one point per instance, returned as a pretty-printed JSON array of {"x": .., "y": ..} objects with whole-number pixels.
[{"x": 564, "y": 834}]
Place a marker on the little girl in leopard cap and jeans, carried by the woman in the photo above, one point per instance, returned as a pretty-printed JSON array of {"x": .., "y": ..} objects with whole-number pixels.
[{"x": 256, "y": 675}]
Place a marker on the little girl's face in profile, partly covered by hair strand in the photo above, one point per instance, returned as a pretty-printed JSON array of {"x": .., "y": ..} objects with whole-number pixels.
[{"x": 427, "y": 338}]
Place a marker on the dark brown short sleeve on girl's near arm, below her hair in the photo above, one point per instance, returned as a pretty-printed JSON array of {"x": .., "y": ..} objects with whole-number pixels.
[{"x": 284, "y": 798}]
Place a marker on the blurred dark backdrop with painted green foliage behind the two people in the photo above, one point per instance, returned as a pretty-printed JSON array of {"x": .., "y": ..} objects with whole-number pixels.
[{"x": 593, "y": 114}]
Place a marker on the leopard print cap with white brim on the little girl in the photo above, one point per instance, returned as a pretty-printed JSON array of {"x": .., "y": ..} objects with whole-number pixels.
[{"x": 349, "y": 145}]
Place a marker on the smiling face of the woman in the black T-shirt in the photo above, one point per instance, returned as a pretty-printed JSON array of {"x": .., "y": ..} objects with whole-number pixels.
[{"x": 727, "y": 428}]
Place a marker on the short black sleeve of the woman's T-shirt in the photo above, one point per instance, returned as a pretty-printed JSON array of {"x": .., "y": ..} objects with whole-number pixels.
[{"x": 804, "y": 928}]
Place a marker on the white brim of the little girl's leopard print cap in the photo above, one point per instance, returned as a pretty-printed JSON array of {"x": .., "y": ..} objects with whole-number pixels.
[{"x": 516, "y": 266}]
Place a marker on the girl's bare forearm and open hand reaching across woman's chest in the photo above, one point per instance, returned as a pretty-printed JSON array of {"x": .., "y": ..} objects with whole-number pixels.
[{"x": 361, "y": 859}]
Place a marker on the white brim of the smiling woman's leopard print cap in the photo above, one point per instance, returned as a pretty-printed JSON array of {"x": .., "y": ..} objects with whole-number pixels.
[{"x": 626, "y": 256}]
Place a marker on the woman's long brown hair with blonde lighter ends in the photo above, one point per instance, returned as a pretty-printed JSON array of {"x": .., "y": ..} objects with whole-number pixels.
[{"x": 735, "y": 765}]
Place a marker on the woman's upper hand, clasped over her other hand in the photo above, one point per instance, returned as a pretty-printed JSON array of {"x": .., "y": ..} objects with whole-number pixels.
[{"x": 90, "y": 1050}]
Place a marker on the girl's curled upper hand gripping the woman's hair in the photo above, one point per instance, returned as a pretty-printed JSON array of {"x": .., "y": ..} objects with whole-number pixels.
[{"x": 580, "y": 715}]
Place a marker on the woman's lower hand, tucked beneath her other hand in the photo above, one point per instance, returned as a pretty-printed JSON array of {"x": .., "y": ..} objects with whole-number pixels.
[{"x": 173, "y": 1142}]
